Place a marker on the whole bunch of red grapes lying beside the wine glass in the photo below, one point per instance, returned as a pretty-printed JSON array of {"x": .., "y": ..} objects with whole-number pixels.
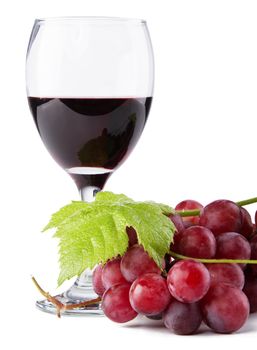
[{"x": 186, "y": 292}]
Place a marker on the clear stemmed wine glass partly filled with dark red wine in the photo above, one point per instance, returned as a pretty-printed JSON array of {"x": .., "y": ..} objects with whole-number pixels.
[{"x": 89, "y": 86}]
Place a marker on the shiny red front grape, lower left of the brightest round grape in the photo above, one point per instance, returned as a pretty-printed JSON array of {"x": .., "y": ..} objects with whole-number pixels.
[{"x": 149, "y": 294}]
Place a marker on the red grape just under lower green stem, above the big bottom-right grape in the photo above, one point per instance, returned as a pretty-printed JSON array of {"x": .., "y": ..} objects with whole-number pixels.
[{"x": 226, "y": 273}]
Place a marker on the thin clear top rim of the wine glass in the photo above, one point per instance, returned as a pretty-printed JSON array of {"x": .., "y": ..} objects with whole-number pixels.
[{"x": 97, "y": 19}]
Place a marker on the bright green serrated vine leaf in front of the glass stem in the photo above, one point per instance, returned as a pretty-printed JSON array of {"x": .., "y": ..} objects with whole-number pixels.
[{"x": 92, "y": 233}]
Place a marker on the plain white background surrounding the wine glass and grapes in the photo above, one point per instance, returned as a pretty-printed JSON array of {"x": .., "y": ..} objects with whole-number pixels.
[{"x": 200, "y": 142}]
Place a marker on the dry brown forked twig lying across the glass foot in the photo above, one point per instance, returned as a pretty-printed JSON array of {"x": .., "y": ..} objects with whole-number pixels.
[{"x": 61, "y": 307}]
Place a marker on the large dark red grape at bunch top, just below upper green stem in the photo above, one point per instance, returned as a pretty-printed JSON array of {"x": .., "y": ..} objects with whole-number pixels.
[{"x": 221, "y": 216}]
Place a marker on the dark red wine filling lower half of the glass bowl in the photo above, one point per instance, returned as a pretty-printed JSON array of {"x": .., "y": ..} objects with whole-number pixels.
[{"x": 90, "y": 136}]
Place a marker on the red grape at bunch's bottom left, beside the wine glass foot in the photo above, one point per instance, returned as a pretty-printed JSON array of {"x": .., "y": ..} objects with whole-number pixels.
[{"x": 116, "y": 305}]
